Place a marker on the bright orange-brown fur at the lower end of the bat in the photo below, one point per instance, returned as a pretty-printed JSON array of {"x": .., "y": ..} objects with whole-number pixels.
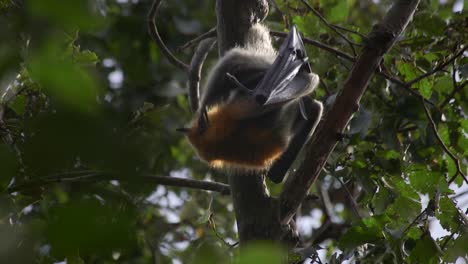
[{"x": 230, "y": 140}]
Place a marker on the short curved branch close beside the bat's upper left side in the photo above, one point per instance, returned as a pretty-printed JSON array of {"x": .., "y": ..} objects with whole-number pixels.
[{"x": 196, "y": 65}]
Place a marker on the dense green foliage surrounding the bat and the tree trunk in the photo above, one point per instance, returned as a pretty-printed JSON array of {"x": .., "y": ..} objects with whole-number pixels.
[{"x": 89, "y": 104}]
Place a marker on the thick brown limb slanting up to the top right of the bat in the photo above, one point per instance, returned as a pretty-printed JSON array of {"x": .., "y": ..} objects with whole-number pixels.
[{"x": 380, "y": 41}]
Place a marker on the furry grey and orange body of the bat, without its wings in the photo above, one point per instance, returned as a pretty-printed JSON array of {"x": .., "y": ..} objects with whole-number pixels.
[{"x": 241, "y": 133}]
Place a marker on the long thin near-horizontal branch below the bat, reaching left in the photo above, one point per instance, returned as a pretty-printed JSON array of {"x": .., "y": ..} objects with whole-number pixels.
[{"x": 147, "y": 178}]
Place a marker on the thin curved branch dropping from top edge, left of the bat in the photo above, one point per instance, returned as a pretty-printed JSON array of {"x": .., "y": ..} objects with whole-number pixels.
[{"x": 153, "y": 31}]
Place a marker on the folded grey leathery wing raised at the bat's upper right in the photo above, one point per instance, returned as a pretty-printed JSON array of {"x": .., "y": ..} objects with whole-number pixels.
[{"x": 281, "y": 82}]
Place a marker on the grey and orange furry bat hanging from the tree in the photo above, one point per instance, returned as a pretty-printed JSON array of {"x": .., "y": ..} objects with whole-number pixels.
[{"x": 255, "y": 112}]
